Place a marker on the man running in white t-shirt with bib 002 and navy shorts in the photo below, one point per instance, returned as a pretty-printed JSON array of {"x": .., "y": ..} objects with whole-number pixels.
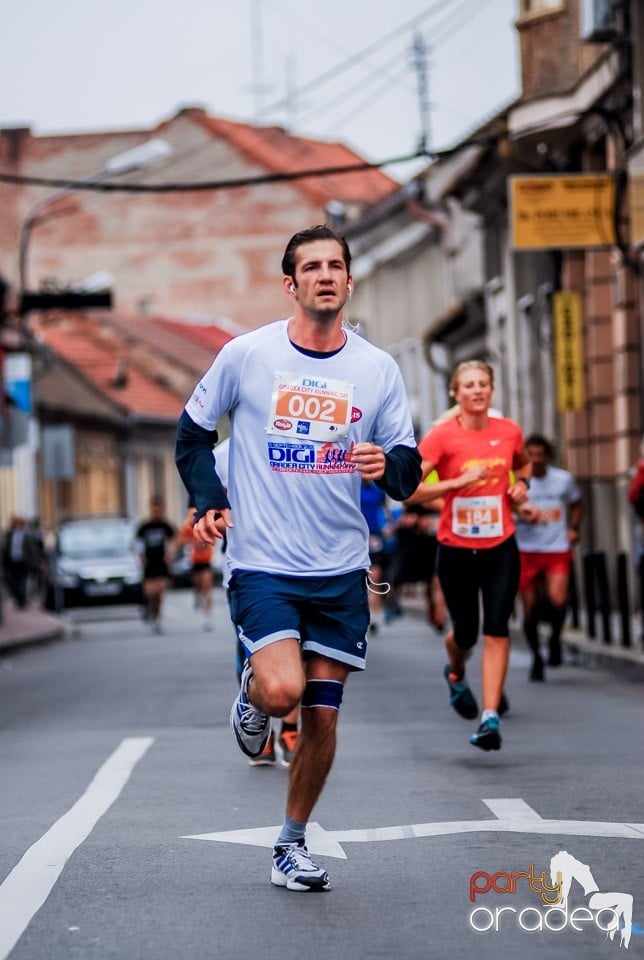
[{"x": 313, "y": 408}]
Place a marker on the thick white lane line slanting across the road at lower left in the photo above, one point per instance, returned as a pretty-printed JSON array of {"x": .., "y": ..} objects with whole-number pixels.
[{"x": 31, "y": 881}]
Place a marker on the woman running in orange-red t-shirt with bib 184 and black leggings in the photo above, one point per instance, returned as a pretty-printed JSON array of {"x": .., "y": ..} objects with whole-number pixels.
[{"x": 475, "y": 455}]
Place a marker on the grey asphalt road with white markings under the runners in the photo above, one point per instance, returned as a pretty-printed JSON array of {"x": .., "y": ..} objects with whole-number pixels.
[{"x": 115, "y": 754}]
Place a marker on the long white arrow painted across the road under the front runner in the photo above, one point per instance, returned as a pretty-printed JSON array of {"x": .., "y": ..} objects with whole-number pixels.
[{"x": 512, "y": 816}]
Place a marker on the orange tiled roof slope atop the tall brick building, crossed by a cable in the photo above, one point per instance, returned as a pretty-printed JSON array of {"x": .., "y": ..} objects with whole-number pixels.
[{"x": 279, "y": 151}]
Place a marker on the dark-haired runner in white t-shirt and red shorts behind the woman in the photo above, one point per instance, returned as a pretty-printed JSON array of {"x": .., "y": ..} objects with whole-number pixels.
[{"x": 547, "y": 527}]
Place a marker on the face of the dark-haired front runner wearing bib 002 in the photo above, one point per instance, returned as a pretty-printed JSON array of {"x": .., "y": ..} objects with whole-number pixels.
[{"x": 321, "y": 278}]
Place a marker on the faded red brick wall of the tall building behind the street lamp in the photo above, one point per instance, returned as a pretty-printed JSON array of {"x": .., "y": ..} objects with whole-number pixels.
[{"x": 215, "y": 253}]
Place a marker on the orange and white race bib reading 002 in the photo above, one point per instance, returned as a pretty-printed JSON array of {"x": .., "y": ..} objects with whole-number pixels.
[{"x": 319, "y": 409}]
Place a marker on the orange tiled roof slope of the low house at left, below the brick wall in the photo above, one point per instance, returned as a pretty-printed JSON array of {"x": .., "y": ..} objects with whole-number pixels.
[{"x": 76, "y": 342}]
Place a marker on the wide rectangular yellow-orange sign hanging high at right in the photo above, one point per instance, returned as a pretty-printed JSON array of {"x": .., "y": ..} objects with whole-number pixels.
[{"x": 565, "y": 211}]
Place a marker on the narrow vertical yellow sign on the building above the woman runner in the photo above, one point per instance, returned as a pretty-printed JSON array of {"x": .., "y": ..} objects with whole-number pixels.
[{"x": 569, "y": 360}]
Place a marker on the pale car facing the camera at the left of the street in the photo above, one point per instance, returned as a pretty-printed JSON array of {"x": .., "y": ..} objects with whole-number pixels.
[{"x": 95, "y": 562}]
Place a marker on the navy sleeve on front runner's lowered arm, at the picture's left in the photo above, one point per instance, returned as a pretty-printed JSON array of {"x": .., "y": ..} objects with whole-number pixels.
[{"x": 196, "y": 465}]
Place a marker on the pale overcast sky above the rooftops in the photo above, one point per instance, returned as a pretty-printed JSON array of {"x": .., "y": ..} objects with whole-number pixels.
[{"x": 84, "y": 65}]
